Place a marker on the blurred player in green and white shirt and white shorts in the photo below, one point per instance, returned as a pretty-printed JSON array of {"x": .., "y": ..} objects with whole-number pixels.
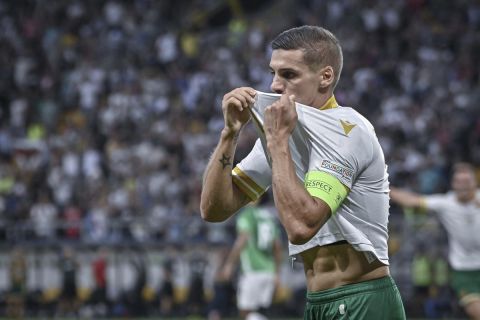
[{"x": 258, "y": 247}]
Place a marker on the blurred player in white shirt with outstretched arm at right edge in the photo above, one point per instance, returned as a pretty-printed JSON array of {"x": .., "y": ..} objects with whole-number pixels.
[{"x": 459, "y": 212}]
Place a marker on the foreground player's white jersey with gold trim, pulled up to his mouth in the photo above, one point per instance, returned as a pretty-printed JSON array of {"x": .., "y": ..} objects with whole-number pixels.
[{"x": 339, "y": 141}]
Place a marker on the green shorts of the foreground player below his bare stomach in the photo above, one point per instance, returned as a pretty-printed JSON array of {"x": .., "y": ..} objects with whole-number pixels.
[{"x": 374, "y": 299}]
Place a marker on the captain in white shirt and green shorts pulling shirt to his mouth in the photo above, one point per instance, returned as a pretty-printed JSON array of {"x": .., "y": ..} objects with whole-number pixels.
[{"x": 332, "y": 198}]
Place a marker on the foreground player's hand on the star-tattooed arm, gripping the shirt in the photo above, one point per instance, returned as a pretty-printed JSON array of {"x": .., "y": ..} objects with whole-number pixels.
[{"x": 235, "y": 106}]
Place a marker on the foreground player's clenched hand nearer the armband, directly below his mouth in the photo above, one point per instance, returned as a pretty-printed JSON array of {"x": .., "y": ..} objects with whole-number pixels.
[{"x": 280, "y": 119}]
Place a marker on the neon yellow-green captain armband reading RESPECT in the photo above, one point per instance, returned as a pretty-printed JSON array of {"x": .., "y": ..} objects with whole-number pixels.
[{"x": 326, "y": 187}]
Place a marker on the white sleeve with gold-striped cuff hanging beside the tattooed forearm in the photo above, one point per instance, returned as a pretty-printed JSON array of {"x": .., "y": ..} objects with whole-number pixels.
[{"x": 253, "y": 174}]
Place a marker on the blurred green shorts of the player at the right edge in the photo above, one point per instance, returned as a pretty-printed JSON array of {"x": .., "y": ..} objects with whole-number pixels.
[{"x": 466, "y": 285}]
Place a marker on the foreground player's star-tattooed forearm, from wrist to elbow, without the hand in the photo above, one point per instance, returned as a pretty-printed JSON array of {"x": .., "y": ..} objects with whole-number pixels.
[{"x": 217, "y": 198}]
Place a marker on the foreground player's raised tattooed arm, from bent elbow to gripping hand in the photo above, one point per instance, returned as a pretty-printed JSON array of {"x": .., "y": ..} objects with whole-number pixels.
[{"x": 220, "y": 198}]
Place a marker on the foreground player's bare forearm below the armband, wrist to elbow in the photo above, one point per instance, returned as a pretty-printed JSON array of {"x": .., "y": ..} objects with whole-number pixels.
[{"x": 300, "y": 213}]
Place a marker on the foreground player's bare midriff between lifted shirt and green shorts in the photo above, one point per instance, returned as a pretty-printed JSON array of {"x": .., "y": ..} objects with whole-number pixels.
[{"x": 334, "y": 265}]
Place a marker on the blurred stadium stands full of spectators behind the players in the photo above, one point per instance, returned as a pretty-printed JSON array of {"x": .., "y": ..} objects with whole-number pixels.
[{"x": 109, "y": 111}]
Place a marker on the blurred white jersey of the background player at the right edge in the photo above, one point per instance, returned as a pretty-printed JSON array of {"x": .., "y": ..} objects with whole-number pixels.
[{"x": 462, "y": 223}]
